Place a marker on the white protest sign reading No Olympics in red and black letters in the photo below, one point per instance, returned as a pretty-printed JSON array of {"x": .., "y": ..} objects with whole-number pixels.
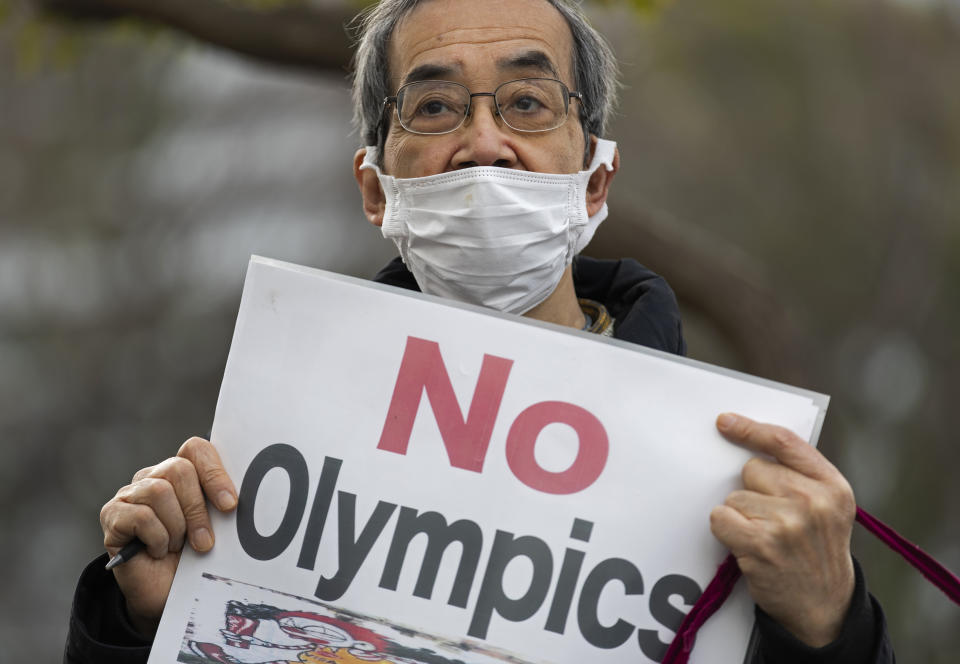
[{"x": 429, "y": 482}]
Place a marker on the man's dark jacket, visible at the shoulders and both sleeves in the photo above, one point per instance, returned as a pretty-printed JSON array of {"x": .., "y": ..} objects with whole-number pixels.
[{"x": 645, "y": 312}]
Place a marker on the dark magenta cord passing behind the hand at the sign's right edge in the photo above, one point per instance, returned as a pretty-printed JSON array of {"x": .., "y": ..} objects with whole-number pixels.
[{"x": 728, "y": 573}]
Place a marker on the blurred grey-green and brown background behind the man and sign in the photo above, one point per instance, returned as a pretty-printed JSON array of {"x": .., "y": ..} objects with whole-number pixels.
[{"x": 792, "y": 167}]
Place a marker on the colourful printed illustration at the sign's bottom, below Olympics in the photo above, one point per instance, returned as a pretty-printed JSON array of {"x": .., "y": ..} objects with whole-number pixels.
[{"x": 240, "y": 623}]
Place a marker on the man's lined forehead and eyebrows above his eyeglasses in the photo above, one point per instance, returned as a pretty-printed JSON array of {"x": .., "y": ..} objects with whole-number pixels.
[{"x": 467, "y": 39}]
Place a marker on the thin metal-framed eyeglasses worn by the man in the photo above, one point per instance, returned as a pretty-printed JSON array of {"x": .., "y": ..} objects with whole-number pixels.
[{"x": 440, "y": 107}]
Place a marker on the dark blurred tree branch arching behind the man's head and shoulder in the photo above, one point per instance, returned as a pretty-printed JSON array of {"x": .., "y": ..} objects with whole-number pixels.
[{"x": 726, "y": 290}]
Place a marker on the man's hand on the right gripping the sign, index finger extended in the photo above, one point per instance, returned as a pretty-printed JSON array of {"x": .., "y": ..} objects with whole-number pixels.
[{"x": 790, "y": 528}]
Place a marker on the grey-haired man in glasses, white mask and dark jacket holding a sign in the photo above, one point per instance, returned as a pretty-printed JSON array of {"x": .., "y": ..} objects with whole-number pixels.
[{"x": 485, "y": 165}]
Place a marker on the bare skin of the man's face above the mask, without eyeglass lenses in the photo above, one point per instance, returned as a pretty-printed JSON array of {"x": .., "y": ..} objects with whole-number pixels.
[{"x": 481, "y": 44}]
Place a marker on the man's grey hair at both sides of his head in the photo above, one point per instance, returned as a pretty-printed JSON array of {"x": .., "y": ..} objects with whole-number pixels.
[{"x": 594, "y": 67}]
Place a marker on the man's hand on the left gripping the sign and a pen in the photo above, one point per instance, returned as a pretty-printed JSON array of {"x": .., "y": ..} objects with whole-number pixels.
[{"x": 164, "y": 506}]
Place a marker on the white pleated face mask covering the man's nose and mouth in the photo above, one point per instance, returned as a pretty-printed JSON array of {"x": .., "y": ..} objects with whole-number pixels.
[{"x": 492, "y": 236}]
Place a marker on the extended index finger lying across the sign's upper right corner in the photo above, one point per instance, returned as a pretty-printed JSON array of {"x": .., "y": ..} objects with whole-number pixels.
[{"x": 782, "y": 444}]
